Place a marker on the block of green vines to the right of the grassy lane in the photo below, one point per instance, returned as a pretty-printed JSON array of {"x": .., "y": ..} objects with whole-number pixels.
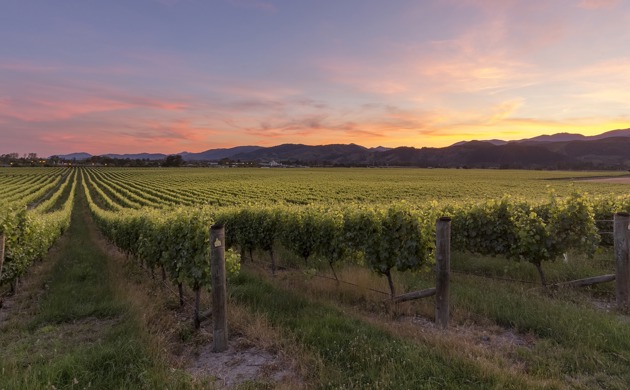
[{"x": 333, "y": 219}]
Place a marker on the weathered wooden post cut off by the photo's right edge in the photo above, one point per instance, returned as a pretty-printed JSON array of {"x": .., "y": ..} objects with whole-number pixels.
[{"x": 622, "y": 260}]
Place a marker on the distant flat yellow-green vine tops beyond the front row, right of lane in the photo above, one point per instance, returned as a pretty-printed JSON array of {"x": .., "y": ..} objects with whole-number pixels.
[{"x": 303, "y": 186}]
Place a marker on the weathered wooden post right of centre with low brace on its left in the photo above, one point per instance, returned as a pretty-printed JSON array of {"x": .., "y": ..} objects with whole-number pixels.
[{"x": 443, "y": 265}]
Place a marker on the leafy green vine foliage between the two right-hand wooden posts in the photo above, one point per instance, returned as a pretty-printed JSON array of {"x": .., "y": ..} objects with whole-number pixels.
[{"x": 526, "y": 231}]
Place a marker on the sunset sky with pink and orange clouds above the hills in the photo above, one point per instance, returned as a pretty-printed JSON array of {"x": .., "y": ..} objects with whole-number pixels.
[{"x": 166, "y": 76}]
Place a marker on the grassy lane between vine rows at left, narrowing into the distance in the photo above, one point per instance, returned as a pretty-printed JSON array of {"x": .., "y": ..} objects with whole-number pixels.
[{"x": 80, "y": 333}]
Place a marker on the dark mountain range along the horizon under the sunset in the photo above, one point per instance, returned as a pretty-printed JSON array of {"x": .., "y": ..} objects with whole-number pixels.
[{"x": 610, "y": 150}]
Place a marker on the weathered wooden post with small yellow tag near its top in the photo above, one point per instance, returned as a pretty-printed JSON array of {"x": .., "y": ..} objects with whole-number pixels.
[{"x": 219, "y": 296}]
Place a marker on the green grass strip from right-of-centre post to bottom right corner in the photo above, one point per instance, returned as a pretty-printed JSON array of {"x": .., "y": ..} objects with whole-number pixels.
[{"x": 577, "y": 342}]
